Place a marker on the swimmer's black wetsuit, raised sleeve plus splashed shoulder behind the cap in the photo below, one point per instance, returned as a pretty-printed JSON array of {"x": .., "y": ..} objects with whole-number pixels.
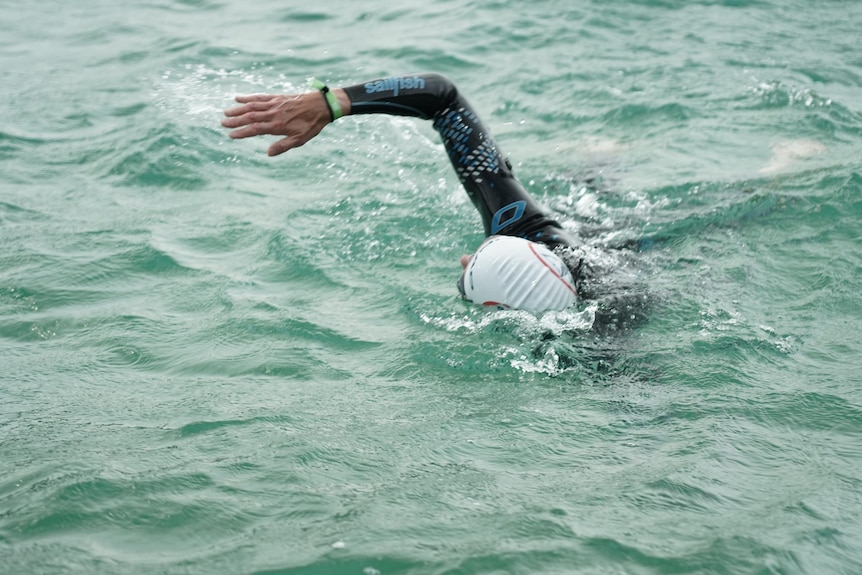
[{"x": 506, "y": 207}]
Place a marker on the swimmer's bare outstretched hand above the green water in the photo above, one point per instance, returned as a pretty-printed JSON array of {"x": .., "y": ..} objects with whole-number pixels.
[{"x": 299, "y": 117}]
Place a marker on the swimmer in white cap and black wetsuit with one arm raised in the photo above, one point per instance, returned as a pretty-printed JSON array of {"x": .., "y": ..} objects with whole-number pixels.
[{"x": 521, "y": 264}]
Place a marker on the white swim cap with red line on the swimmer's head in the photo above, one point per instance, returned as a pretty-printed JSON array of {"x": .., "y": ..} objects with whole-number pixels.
[{"x": 515, "y": 273}]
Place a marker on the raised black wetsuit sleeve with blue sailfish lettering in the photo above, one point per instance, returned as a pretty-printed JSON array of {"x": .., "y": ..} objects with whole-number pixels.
[{"x": 505, "y": 206}]
